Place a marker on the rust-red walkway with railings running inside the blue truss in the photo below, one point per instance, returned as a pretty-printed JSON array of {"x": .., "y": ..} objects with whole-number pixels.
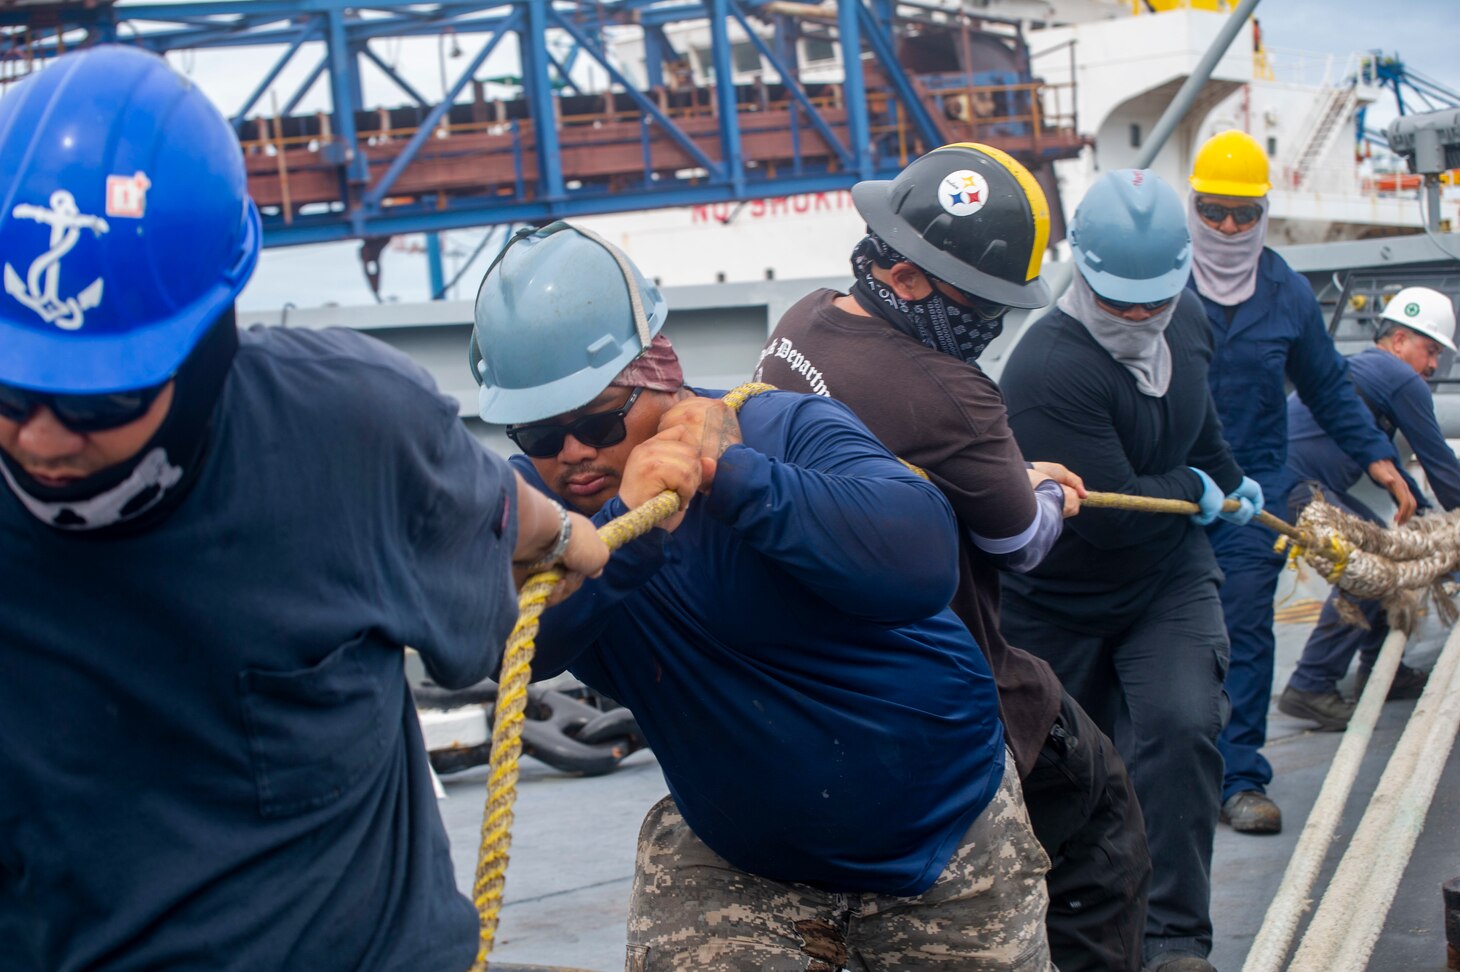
[{"x": 296, "y": 158}]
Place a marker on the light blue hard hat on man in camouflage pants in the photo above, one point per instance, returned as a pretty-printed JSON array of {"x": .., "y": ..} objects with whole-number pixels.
[{"x": 560, "y": 315}]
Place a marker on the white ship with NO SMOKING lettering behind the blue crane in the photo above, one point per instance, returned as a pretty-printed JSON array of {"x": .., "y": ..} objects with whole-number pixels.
[{"x": 1110, "y": 68}]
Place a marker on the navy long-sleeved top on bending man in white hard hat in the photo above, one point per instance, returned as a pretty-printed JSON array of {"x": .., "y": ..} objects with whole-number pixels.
[{"x": 1401, "y": 402}]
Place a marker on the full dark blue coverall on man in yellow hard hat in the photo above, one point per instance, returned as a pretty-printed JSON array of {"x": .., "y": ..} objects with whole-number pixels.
[{"x": 1274, "y": 335}]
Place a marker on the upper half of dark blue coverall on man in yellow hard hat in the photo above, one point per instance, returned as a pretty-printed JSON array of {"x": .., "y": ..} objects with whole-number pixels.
[{"x": 1278, "y": 333}]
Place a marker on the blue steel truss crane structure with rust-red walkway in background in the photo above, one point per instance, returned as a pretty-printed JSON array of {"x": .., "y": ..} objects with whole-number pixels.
[{"x": 661, "y": 134}]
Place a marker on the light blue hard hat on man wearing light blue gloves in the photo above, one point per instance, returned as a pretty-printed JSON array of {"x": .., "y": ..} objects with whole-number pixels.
[{"x": 1131, "y": 239}]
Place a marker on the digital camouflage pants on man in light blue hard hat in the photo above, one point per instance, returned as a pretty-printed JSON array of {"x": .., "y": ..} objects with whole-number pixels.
[{"x": 691, "y": 910}]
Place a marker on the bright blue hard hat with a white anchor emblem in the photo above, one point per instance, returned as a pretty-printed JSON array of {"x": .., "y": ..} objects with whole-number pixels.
[{"x": 126, "y": 225}]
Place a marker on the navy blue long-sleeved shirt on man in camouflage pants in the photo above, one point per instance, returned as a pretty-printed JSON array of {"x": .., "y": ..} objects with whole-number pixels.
[{"x": 820, "y": 713}]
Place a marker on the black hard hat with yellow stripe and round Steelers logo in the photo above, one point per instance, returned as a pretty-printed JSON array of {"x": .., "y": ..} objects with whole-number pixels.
[{"x": 970, "y": 215}]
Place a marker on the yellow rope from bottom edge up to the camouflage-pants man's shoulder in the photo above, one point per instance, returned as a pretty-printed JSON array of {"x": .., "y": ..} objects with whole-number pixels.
[{"x": 512, "y": 704}]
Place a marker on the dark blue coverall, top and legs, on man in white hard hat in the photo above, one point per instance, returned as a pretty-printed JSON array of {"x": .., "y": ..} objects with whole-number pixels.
[{"x": 1401, "y": 402}]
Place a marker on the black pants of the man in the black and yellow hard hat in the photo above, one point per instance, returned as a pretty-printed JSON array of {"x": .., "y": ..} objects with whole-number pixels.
[{"x": 1086, "y": 814}]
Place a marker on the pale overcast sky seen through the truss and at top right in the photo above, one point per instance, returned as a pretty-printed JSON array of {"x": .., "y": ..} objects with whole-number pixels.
[{"x": 1424, "y": 33}]
